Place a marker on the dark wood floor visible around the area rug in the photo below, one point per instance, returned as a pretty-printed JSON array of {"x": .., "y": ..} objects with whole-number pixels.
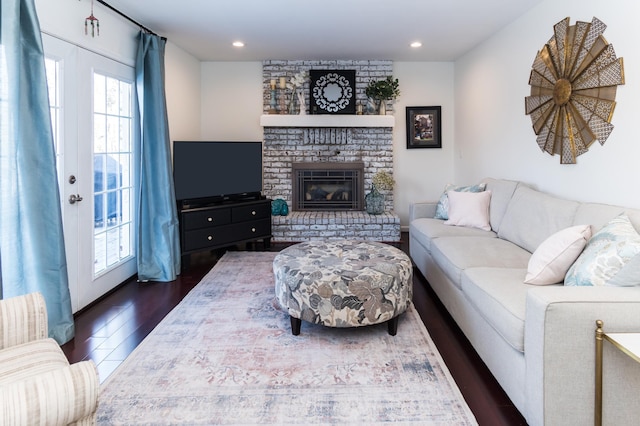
[{"x": 110, "y": 329}]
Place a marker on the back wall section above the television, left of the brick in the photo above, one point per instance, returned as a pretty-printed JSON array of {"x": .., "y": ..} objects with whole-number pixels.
[{"x": 231, "y": 101}]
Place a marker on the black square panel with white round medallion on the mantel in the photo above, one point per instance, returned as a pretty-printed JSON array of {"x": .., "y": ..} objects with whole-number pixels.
[{"x": 332, "y": 91}]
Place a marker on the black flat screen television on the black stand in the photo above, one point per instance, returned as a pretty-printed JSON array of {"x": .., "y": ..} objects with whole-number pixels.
[{"x": 212, "y": 171}]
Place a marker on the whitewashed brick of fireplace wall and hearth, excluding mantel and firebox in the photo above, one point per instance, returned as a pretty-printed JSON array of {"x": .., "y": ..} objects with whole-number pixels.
[{"x": 284, "y": 146}]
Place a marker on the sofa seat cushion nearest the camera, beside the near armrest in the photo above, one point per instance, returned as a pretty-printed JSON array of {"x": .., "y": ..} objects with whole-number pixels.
[{"x": 499, "y": 295}]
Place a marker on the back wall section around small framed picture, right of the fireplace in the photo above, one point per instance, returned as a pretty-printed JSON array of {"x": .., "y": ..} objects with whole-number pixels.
[{"x": 421, "y": 174}]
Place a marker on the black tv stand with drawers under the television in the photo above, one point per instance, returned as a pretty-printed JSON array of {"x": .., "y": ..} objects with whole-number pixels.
[{"x": 223, "y": 223}]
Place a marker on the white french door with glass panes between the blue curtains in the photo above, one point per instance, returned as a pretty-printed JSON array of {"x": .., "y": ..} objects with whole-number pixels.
[{"x": 92, "y": 111}]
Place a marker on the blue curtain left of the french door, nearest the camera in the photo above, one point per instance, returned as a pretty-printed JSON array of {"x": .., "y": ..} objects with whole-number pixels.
[{"x": 31, "y": 237}]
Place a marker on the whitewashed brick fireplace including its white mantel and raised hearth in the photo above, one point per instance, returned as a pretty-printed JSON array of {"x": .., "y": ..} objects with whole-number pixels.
[{"x": 330, "y": 146}]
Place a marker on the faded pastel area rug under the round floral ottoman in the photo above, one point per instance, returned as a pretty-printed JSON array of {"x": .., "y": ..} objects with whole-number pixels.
[{"x": 226, "y": 355}]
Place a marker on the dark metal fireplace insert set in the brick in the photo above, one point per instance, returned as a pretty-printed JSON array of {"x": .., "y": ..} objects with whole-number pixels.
[{"x": 328, "y": 186}]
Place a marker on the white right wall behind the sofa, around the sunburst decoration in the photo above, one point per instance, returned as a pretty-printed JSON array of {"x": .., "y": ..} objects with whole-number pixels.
[{"x": 494, "y": 137}]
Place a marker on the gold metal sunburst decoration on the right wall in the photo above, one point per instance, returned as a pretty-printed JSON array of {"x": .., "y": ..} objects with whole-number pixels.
[{"x": 573, "y": 89}]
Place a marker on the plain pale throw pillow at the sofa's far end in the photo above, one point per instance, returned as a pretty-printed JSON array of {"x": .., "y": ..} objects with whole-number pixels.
[{"x": 469, "y": 209}]
